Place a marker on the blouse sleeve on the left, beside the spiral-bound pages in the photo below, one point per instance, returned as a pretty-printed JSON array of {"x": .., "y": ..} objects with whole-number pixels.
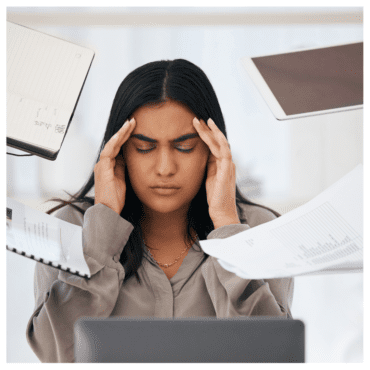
[{"x": 61, "y": 298}]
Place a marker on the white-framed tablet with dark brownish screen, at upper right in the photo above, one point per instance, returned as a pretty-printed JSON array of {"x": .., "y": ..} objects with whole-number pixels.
[{"x": 310, "y": 81}]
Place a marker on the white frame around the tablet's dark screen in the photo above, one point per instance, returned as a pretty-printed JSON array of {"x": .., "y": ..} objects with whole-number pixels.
[{"x": 268, "y": 96}]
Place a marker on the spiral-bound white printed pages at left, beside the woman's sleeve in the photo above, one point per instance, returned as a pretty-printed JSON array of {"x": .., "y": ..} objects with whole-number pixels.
[{"x": 44, "y": 238}]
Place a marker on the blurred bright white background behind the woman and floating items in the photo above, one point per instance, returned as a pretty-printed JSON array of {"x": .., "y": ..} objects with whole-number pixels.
[{"x": 281, "y": 164}]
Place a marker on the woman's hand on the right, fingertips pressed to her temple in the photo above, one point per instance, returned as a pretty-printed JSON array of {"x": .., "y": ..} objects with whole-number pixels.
[{"x": 220, "y": 182}]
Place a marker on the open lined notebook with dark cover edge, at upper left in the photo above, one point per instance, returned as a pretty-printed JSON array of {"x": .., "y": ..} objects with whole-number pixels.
[{"x": 45, "y": 77}]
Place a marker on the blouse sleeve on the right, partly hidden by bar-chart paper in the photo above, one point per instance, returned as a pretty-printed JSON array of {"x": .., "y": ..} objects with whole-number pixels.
[{"x": 232, "y": 295}]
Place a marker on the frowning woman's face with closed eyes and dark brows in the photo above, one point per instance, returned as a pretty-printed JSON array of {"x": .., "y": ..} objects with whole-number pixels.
[{"x": 165, "y": 159}]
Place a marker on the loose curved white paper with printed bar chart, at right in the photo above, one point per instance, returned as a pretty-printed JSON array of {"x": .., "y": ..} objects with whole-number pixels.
[{"x": 322, "y": 236}]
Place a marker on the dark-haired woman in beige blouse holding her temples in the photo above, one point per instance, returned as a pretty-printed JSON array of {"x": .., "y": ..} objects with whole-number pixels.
[{"x": 164, "y": 179}]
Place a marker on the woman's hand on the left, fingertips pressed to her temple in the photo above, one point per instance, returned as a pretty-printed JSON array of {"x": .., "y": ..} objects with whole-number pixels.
[{"x": 109, "y": 172}]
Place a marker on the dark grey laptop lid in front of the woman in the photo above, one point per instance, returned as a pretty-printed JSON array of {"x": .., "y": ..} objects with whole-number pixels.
[{"x": 241, "y": 339}]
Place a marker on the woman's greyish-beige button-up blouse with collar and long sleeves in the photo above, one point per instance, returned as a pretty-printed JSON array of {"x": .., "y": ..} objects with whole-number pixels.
[{"x": 199, "y": 288}]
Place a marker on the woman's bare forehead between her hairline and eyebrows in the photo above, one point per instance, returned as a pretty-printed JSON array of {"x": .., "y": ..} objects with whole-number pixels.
[{"x": 164, "y": 121}]
